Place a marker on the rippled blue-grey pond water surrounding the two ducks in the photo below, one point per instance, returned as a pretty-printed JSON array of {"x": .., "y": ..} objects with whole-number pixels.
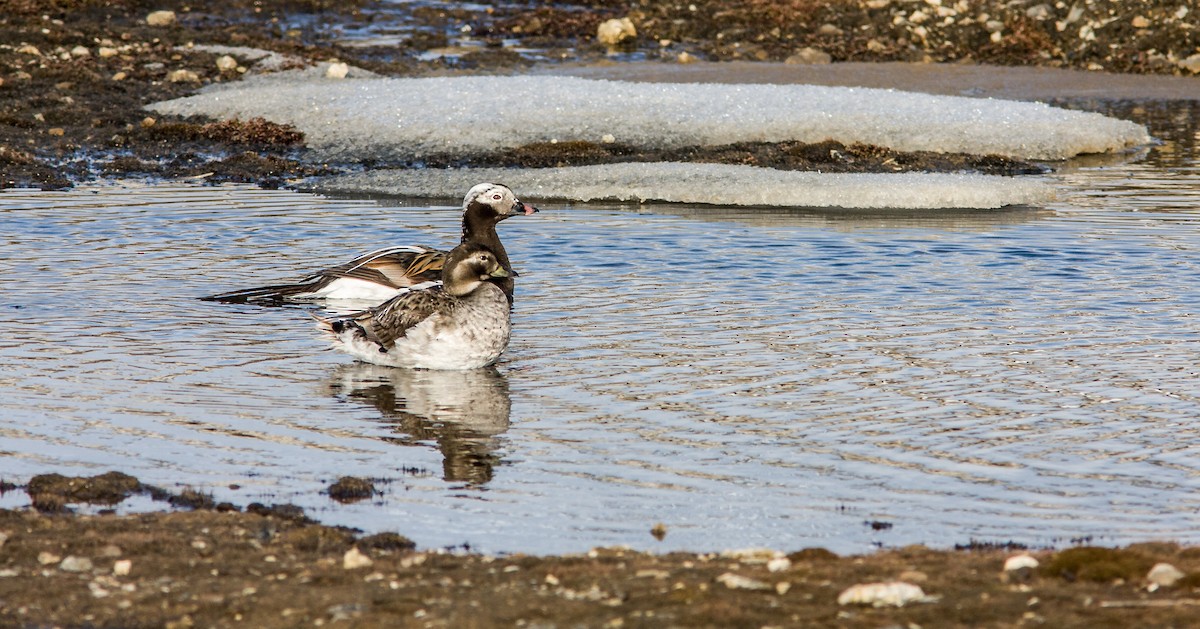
[{"x": 747, "y": 378}]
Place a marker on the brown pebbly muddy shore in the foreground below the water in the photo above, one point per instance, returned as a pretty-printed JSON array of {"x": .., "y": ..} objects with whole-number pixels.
[{"x": 205, "y": 565}]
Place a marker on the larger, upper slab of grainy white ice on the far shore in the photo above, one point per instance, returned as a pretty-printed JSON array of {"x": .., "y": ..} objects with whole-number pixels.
[{"x": 401, "y": 118}]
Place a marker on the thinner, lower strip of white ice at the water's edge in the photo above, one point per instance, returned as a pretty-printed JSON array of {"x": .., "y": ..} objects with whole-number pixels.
[{"x": 713, "y": 184}]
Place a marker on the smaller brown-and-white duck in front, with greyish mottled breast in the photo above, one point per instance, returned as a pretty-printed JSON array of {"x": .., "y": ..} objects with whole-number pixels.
[{"x": 461, "y": 324}]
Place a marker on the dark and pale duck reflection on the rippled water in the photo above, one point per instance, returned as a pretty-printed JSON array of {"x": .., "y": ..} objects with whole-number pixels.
[{"x": 463, "y": 411}]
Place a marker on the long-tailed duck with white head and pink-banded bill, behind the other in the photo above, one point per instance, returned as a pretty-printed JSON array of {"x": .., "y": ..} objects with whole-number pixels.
[{"x": 382, "y": 274}]
